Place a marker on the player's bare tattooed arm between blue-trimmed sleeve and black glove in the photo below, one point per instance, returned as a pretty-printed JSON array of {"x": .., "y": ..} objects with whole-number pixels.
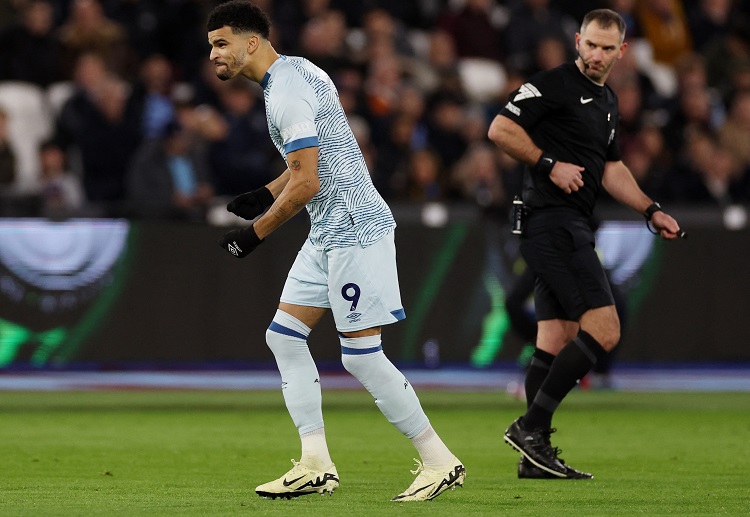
[{"x": 298, "y": 185}]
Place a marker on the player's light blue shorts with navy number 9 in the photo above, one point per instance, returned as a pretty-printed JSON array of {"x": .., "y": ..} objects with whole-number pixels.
[{"x": 359, "y": 285}]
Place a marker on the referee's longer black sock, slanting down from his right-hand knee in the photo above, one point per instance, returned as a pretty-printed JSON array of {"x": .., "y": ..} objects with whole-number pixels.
[{"x": 571, "y": 364}]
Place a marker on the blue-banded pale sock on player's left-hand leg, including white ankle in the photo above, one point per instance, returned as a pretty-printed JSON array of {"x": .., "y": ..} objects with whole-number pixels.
[{"x": 300, "y": 385}]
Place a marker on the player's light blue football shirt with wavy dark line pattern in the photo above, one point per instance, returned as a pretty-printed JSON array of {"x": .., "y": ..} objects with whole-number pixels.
[{"x": 303, "y": 110}]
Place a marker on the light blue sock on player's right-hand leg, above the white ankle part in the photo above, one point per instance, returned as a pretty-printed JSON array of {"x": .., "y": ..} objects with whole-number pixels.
[{"x": 363, "y": 357}]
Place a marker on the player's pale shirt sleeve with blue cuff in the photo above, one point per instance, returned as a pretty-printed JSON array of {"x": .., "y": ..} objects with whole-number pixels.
[{"x": 292, "y": 109}]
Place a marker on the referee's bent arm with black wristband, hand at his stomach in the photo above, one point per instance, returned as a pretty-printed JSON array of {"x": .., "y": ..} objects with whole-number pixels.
[{"x": 514, "y": 140}]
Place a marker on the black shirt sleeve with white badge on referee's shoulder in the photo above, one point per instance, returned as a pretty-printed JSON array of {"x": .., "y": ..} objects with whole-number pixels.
[{"x": 532, "y": 100}]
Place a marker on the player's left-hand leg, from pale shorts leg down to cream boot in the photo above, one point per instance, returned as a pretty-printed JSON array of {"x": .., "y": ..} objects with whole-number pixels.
[{"x": 299, "y": 311}]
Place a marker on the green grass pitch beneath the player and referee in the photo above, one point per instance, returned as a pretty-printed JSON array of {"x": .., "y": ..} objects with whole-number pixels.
[{"x": 201, "y": 453}]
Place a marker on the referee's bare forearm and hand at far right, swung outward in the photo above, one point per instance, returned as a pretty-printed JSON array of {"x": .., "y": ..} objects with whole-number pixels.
[{"x": 621, "y": 185}]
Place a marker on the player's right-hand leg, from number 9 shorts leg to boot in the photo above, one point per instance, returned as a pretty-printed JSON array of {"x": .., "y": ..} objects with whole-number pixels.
[{"x": 364, "y": 295}]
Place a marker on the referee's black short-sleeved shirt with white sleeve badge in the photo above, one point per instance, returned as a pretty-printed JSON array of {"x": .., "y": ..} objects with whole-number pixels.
[{"x": 573, "y": 119}]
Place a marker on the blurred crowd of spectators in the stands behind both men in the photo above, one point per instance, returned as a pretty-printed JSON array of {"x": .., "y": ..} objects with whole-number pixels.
[{"x": 112, "y": 108}]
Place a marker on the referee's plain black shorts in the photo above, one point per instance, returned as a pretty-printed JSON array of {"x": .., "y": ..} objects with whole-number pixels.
[{"x": 558, "y": 245}]
